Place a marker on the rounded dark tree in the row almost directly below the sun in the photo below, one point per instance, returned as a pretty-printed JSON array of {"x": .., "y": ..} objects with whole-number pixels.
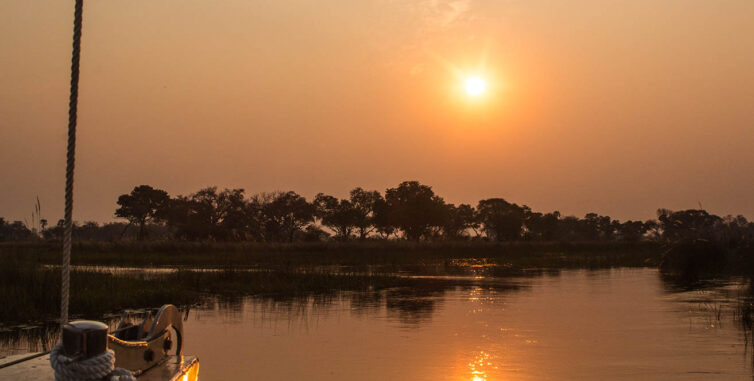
[{"x": 501, "y": 219}]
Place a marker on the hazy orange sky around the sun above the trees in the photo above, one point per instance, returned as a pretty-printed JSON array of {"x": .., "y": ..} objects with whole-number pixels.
[{"x": 617, "y": 107}]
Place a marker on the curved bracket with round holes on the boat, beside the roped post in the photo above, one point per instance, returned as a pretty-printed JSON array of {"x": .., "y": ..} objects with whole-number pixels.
[{"x": 140, "y": 347}]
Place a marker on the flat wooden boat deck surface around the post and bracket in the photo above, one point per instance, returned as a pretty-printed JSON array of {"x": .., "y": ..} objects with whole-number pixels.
[{"x": 37, "y": 368}]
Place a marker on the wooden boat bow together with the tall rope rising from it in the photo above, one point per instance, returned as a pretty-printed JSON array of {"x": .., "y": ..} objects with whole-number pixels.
[{"x": 87, "y": 350}]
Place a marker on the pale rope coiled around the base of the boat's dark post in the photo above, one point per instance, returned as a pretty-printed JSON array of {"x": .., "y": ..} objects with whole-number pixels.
[{"x": 95, "y": 368}]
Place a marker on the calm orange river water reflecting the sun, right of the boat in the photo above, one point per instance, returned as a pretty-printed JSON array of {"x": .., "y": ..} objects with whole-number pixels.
[{"x": 577, "y": 325}]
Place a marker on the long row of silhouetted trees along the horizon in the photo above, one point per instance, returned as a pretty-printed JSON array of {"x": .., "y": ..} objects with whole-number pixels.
[{"x": 409, "y": 211}]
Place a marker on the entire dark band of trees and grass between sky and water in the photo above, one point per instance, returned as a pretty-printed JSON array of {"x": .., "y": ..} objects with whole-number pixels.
[{"x": 367, "y": 241}]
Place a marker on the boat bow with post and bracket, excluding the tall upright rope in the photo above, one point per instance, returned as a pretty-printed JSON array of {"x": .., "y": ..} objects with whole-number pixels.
[{"x": 137, "y": 351}]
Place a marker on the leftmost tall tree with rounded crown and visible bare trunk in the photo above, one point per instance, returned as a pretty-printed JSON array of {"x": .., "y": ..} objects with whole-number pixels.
[{"x": 143, "y": 204}]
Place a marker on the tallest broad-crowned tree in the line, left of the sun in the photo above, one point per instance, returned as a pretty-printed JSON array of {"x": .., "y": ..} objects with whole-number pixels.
[{"x": 414, "y": 208}]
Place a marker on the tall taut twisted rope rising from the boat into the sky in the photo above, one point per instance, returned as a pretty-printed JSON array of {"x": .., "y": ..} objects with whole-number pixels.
[{"x": 70, "y": 159}]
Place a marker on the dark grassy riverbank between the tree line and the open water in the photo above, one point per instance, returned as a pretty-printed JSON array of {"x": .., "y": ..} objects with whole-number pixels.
[{"x": 30, "y": 278}]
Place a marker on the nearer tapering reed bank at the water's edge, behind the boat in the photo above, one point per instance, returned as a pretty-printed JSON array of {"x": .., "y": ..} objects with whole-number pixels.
[{"x": 31, "y": 293}]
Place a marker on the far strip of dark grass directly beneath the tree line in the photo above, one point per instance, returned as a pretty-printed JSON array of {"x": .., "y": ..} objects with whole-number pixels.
[{"x": 357, "y": 254}]
